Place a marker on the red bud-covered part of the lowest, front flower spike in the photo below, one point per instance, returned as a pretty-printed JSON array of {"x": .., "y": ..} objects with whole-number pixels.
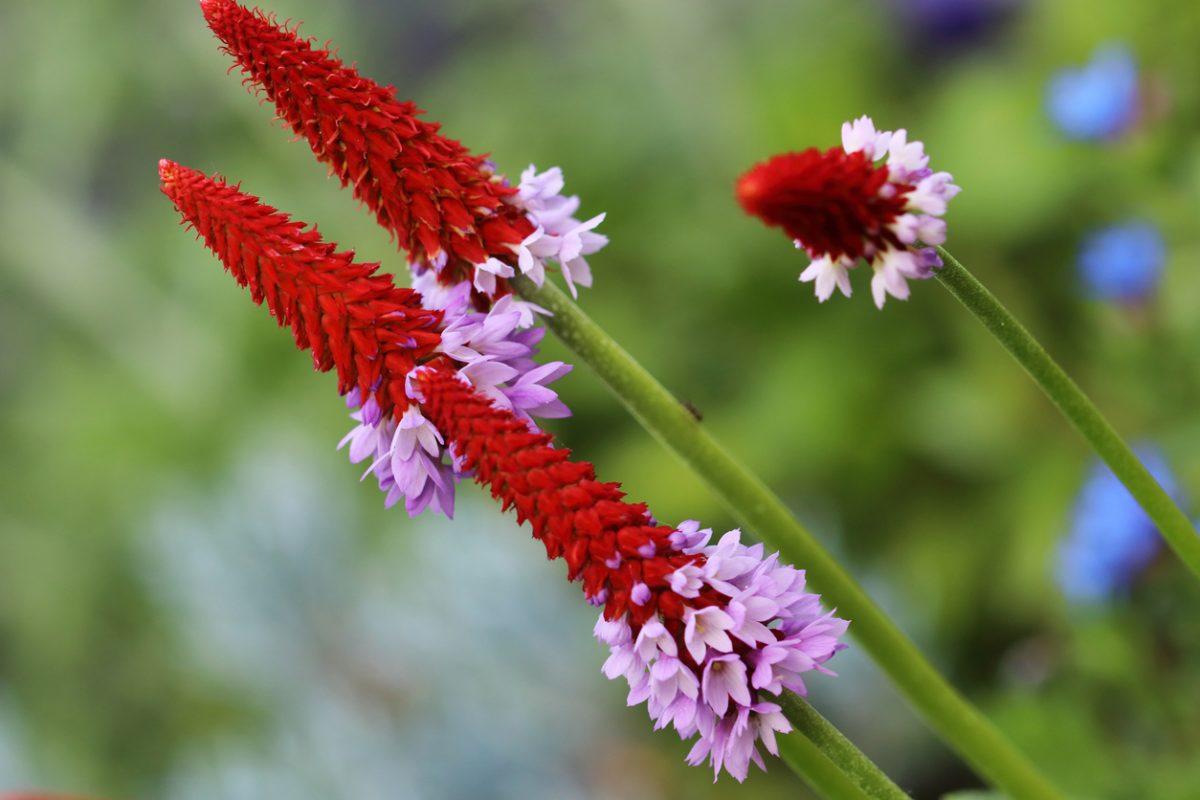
[{"x": 575, "y": 516}]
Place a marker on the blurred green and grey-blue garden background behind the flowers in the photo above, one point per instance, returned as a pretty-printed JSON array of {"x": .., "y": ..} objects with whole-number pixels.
[{"x": 200, "y": 600}]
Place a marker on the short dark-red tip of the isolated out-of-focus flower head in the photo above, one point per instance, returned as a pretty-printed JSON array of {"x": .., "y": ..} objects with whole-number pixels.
[{"x": 833, "y": 203}]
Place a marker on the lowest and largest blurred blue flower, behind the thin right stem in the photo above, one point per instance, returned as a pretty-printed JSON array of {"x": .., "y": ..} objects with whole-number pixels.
[{"x": 1112, "y": 539}]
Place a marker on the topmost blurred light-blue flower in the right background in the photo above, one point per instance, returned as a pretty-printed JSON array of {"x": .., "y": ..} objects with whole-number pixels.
[{"x": 1099, "y": 101}]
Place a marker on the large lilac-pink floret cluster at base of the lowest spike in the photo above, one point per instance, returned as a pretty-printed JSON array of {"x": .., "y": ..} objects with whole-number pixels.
[{"x": 761, "y": 642}]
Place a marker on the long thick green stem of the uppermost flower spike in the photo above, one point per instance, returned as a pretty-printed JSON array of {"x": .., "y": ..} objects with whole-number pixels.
[{"x": 749, "y": 500}]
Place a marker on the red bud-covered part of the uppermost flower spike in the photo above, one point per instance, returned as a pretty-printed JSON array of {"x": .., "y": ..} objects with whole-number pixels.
[{"x": 428, "y": 190}]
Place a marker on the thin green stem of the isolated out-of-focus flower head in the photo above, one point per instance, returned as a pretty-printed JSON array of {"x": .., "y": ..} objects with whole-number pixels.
[{"x": 1076, "y": 406}]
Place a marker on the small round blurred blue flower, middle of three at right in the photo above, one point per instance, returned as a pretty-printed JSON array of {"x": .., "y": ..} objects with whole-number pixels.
[{"x": 1124, "y": 262}]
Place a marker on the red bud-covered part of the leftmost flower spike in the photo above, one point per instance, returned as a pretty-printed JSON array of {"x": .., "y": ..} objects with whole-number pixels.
[{"x": 350, "y": 316}]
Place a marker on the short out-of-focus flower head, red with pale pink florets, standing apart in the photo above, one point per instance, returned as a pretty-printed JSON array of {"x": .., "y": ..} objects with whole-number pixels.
[{"x": 843, "y": 206}]
